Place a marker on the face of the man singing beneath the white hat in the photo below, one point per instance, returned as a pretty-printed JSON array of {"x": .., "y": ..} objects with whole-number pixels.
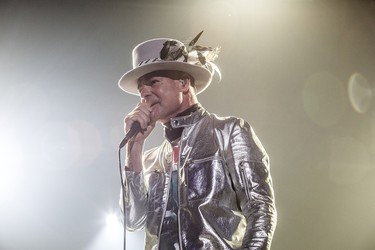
[{"x": 163, "y": 95}]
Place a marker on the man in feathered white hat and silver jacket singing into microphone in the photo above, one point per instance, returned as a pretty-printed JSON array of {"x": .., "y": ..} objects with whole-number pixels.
[{"x": 208, "y": 185}]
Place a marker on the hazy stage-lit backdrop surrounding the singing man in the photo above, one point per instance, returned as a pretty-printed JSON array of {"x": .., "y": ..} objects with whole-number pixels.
[{"x": 301, "y": 72}]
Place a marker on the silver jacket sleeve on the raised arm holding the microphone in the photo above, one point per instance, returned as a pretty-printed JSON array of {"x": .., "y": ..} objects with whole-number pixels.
[{"x": 135, "y": 201}]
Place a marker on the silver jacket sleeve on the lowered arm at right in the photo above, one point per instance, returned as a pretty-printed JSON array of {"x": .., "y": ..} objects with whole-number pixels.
[{"x": 248, "y": 164}]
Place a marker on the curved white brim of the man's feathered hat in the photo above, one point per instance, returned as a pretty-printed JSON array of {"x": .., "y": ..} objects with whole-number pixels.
[{"x": 129, "y": 81}]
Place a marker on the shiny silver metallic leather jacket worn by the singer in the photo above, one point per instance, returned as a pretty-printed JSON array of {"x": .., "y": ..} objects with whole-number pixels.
[{"x": 226, "y": 198}]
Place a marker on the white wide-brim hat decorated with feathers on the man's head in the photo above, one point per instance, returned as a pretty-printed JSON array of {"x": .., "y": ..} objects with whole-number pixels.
[{"x": 170, "y": 54}]
